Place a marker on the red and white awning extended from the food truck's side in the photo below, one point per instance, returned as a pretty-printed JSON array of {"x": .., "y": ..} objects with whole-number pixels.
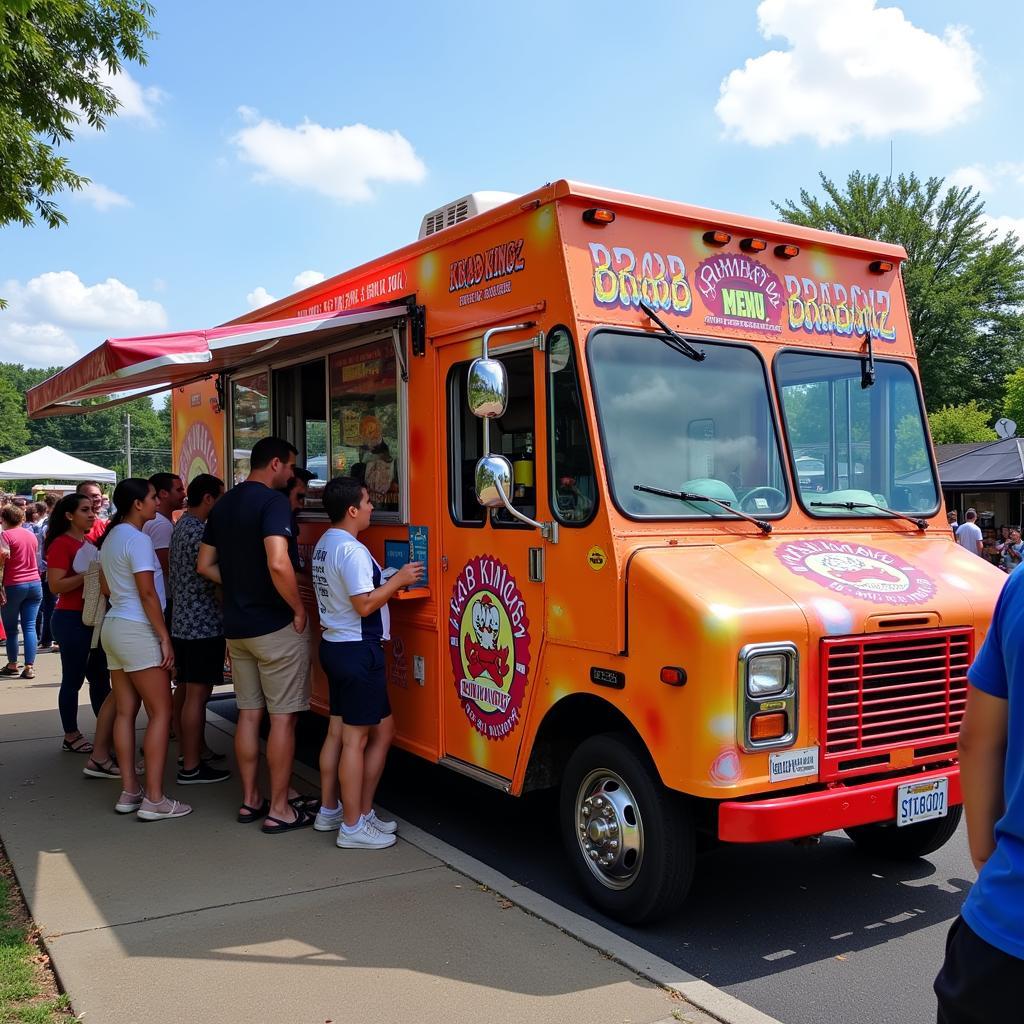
[{"x": 159, "y": 362}]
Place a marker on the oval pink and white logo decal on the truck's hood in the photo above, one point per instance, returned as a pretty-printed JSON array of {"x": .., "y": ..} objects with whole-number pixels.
[{"x": 859, "y": 571}]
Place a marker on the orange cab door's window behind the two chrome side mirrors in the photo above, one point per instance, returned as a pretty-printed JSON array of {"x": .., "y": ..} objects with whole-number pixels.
[{"x": 513, "y": 437}]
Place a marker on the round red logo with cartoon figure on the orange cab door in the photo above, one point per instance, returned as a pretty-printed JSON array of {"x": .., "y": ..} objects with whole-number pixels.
[{"x": 489, "y": 642}]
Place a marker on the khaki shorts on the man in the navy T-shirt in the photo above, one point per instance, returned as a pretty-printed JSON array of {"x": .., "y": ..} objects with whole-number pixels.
[{"x": 272, "y": 671}]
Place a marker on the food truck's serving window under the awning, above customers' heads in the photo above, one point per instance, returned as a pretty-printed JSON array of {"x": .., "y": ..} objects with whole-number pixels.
[{"x": 345, "y": 413}]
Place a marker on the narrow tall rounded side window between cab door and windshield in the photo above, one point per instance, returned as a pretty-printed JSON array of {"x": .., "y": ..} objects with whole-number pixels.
[{"x": 572, "y": 463}]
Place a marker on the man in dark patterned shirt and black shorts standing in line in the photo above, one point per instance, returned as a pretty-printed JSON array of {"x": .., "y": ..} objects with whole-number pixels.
[{"x": 197, "y": 630}]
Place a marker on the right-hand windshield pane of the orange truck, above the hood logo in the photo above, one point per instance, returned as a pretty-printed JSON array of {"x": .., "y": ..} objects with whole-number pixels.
[{"x": 859, "y": 447}]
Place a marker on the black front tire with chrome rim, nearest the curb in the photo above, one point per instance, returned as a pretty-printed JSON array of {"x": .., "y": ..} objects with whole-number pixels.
[{"x": 645, "y": 832}]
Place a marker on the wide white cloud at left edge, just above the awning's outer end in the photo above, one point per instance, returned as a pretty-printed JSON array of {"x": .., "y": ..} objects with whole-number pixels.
[{"x": 64, "y": 300}]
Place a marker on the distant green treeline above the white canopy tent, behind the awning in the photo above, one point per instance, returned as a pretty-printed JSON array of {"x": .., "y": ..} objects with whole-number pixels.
[{"x": 97, "y": 438}]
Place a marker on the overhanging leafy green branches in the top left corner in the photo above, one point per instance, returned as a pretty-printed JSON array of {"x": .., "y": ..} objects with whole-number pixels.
[{"x": 52, "y": 57}]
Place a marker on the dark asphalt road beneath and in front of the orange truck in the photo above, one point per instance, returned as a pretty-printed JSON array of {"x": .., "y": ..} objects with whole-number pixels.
[{"x": 806, "y": 934}]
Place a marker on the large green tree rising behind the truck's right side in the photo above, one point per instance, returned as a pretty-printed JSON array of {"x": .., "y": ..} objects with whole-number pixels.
[{"x": 965, "y": 287}]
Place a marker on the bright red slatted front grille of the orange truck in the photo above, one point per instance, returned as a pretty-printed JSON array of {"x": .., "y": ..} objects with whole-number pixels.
[{"x": 883, "y": 693}]
